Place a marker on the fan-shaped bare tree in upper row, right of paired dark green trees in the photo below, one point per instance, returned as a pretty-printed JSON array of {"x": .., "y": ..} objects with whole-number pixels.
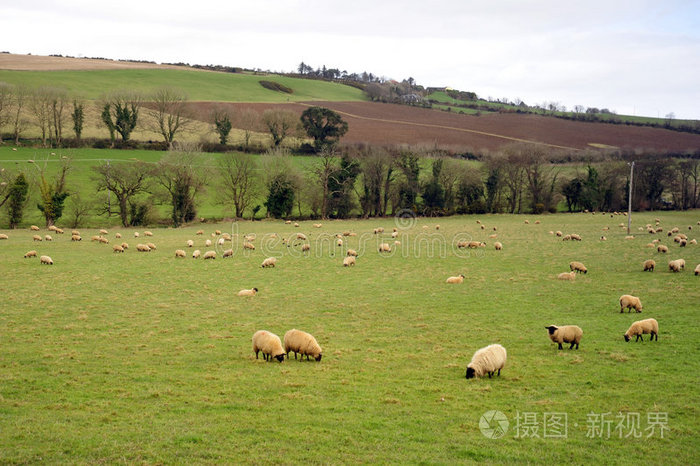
[{"x": 170, "y": 113}]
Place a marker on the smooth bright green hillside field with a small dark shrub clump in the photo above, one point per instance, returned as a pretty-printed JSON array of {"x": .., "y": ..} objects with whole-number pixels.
[{"x": 199, "y": 85}]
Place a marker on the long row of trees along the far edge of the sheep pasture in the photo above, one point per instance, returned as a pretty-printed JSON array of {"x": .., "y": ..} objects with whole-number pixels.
[{"x": 351, "y": 181}]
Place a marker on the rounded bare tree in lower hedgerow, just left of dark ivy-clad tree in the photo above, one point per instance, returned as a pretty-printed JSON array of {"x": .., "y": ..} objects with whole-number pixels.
[{"x": 238, "y": 181}]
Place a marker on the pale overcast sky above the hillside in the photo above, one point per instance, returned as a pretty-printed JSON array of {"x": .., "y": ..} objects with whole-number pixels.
[{"x": 632, "y": 56}]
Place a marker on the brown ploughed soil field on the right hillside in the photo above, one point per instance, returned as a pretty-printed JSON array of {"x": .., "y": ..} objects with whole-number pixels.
[{"x": 388, "y": 124}]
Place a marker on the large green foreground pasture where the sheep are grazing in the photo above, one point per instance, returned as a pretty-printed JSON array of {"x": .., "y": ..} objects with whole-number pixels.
[{"x": 144, "y": 358}]
